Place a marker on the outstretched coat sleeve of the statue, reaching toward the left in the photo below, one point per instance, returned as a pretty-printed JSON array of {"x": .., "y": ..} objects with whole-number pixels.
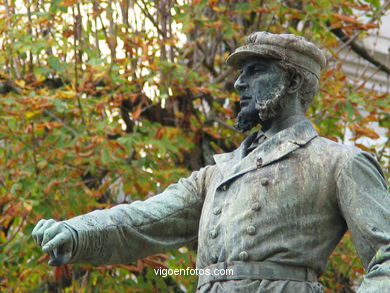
[{"x": 128, "y": 232}]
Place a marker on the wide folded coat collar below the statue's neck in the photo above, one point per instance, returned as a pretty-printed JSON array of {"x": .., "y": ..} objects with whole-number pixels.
[{"x": 274, "y": 148}]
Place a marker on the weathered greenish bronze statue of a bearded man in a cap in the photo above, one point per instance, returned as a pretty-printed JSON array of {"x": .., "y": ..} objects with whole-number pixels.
[{"x": 273, "y": 210}]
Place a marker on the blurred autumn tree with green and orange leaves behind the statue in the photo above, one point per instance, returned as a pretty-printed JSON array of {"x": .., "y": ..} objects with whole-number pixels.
[{"x": 100, "y": 98}]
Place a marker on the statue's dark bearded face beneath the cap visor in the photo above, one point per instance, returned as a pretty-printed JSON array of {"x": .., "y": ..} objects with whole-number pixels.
[{"x": 262, "y": 90}]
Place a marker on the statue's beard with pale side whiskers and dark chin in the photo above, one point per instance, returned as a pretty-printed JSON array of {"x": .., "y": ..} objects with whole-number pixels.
[{"x": 259, "y": 111}]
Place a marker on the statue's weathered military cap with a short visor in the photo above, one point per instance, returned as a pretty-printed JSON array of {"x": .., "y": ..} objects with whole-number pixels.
[{"x": 289, "y": 48}]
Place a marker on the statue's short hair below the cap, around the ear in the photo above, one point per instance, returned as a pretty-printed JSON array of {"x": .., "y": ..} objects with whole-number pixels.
[{"x": 310, "y": 85}]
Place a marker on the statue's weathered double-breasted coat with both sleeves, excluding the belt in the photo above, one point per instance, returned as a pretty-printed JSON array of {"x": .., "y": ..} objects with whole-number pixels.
[{"x": 287, "y": 202}]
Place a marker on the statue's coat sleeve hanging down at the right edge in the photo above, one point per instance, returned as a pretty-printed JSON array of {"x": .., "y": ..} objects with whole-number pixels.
[{"x": 365, "y": 204}]
